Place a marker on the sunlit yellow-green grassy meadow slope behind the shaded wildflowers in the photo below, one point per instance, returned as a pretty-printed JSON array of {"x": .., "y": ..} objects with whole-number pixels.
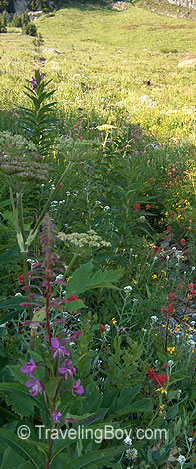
[{"x": 108, "y": 56}]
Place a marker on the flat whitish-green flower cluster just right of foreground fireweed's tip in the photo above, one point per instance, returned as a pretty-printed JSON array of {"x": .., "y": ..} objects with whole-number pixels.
[{"x": 81, "y": 240}]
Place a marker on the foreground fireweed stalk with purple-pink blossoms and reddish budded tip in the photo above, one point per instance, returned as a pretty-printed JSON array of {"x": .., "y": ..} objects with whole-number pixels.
[{"x": 58, "y": 366}]
